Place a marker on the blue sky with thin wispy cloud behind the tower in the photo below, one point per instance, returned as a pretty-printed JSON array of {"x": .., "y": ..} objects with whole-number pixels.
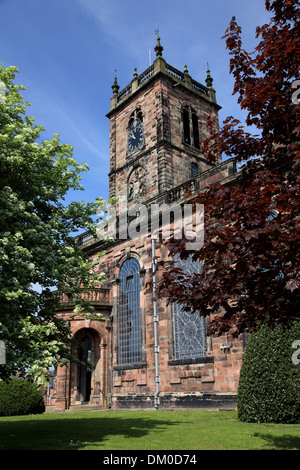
[{"x": 67, "y": 51}]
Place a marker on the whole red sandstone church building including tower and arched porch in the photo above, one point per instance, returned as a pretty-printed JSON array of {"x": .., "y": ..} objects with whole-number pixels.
[{"x": 146, "y": 353}]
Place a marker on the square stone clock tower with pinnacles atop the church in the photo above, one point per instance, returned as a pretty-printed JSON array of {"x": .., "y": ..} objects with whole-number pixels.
[{"x": 157, "y": 125}]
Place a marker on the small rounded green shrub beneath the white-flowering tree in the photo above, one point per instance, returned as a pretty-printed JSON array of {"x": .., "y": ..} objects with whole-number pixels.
[{"x": 20, "y": 397}]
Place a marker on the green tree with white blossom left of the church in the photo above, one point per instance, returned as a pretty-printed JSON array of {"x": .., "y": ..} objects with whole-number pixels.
[{"x": 39, "y": 257}]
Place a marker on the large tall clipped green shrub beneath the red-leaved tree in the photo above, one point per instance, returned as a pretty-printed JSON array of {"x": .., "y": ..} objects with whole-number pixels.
[{"x": 269, "y": 386}]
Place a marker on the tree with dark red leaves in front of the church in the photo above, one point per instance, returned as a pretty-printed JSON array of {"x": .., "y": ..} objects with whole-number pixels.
[{"x": 250, "y": 257}]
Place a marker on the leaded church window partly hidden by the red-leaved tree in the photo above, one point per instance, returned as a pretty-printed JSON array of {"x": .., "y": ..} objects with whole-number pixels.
[{"x": 189, "y": 328}]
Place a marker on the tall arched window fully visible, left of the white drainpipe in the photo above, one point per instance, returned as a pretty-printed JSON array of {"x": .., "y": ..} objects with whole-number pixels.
[{"x": 129, "y": 315}]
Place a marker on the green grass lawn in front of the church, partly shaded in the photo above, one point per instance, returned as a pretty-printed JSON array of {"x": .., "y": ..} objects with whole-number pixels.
[{"x": 144, "y": 430}]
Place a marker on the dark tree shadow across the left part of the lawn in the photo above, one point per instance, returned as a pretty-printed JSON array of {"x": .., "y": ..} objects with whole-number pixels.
[{"x": 71, "y": 434}]
